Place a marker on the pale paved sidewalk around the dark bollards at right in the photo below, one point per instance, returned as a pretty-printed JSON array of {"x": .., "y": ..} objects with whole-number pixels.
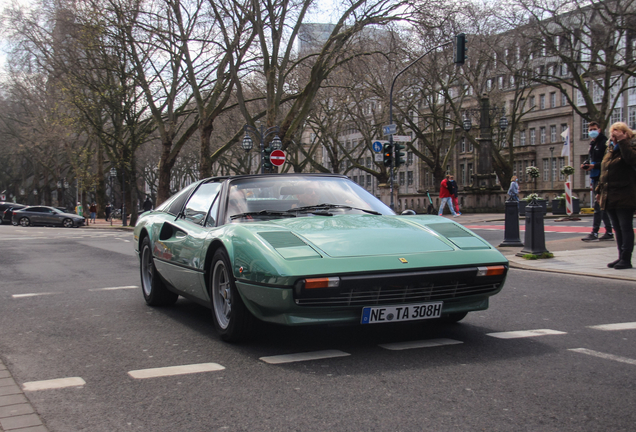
[{"x": 571, "y": 256}]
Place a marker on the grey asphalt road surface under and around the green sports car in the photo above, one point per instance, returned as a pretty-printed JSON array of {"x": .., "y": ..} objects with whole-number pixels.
[{"x": 70, "y": 307}]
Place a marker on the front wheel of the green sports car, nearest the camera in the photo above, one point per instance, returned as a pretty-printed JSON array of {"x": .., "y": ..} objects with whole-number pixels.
[{"x": 231, "y": 318}]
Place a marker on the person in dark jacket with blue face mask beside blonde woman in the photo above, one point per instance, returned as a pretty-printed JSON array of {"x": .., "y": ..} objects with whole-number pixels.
[{"x": 598, "y": 146}]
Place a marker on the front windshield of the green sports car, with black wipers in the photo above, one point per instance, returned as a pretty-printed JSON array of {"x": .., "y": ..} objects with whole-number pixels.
[{"x": 296, "y": 196}]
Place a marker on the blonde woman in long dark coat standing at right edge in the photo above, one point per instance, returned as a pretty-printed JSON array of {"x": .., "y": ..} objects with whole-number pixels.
[{"x": 616, "y": 191}]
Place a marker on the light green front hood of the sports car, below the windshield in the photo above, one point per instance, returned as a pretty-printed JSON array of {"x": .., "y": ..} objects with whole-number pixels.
[{"x": 369, "y": 235}]
